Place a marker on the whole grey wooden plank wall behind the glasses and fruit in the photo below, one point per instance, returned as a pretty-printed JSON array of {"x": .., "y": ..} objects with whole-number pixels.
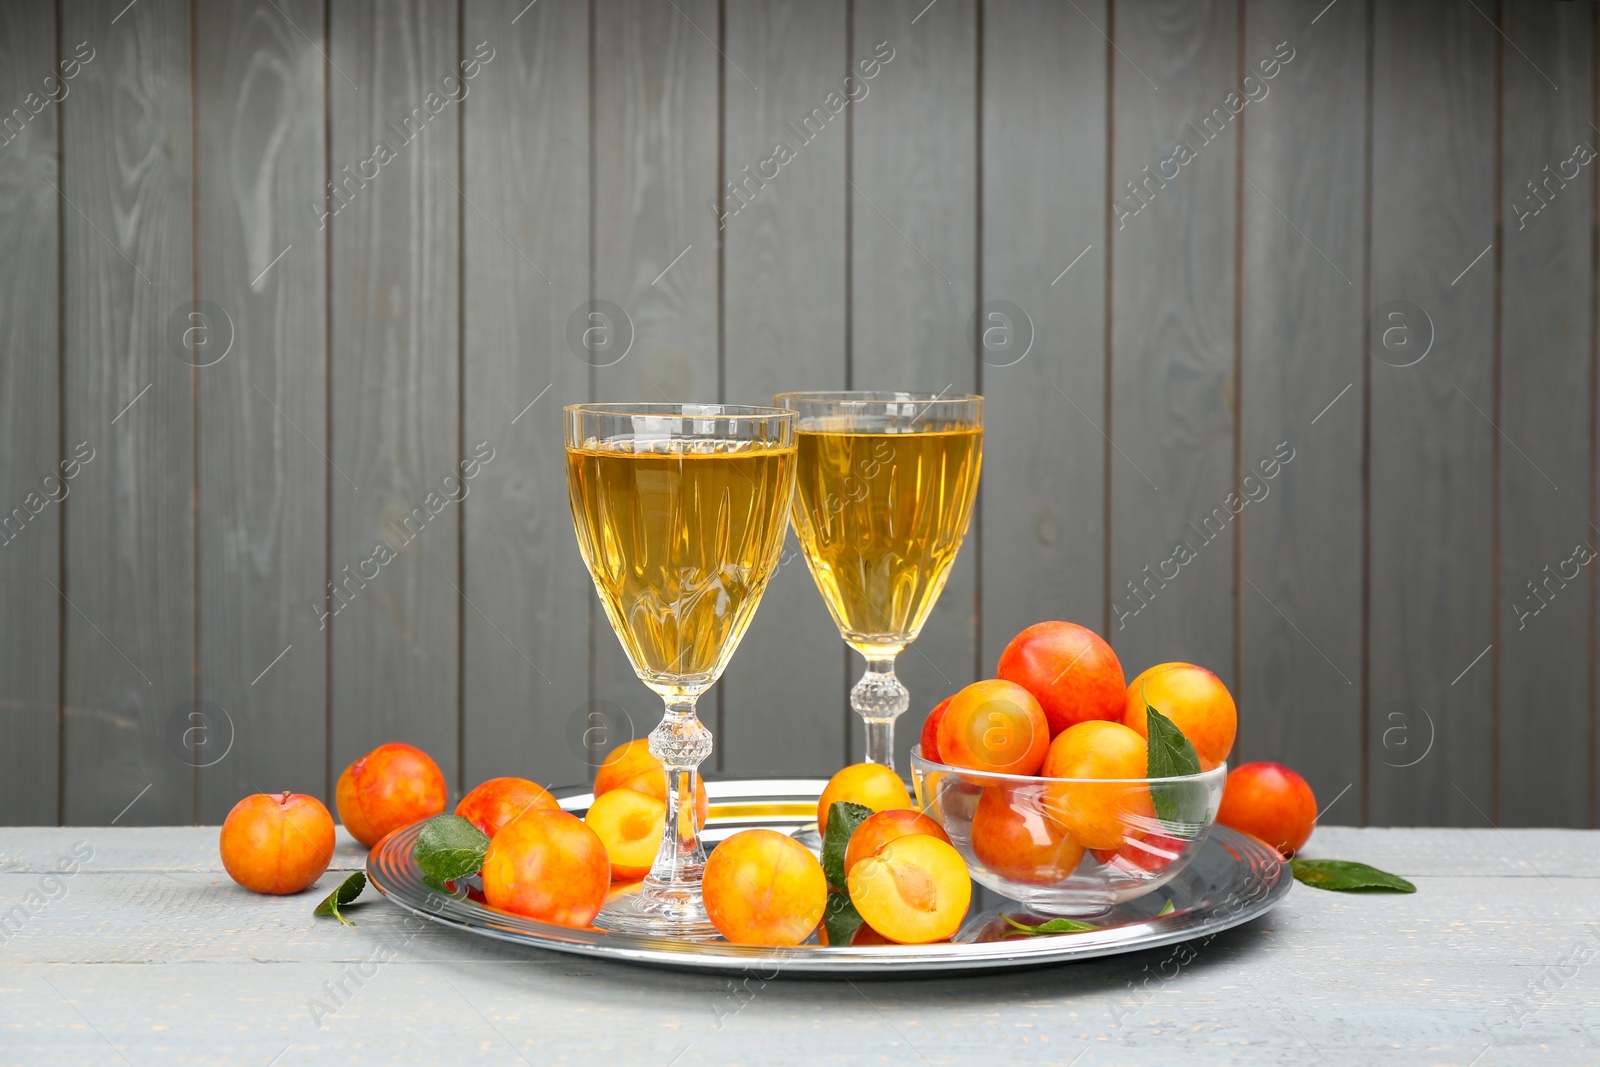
[{"x": 1286, "y": 314}]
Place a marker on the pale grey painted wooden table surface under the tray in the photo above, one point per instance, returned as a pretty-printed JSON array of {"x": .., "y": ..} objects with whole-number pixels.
[{"x": 150, "y": 954}]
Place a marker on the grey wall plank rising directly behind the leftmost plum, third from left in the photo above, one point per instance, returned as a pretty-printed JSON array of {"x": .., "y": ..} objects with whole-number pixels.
[{"x": 263, "y": 487}]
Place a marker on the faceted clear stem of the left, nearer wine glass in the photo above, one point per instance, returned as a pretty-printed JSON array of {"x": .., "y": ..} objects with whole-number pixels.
[{"x": 681, "y": 743}]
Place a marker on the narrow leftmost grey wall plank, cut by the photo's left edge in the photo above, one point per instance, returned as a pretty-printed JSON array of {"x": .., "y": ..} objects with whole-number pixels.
[{"x": 33, "y": 489}]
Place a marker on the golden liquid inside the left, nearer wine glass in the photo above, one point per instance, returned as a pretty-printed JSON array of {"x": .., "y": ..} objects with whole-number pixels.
[{"x": 681, "y": 541}]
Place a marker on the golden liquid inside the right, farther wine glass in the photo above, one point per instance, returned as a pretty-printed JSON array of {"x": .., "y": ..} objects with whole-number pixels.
[{"x": 881, "y": 518}]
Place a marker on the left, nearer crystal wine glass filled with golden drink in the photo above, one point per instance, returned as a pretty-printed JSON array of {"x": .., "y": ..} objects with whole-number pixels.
[{"x": 681, "y": 514}]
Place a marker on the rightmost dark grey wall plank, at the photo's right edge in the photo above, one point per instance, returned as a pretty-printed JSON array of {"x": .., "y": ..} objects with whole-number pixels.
[{"x": 1545, "y": 634}]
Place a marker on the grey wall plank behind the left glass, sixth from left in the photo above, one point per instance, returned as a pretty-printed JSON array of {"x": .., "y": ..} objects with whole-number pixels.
[{"x": 655, "y": 242}]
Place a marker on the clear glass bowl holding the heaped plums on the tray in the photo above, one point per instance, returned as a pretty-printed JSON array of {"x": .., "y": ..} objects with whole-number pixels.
[{"x": 1070, "y": 847}]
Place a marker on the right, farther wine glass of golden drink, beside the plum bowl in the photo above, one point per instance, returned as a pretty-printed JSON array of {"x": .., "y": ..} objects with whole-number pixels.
[{"x": 884, "y": 495}]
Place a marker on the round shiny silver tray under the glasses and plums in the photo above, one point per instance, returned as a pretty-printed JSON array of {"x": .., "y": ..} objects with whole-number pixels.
[{"x": 1233, "y": 881}]
